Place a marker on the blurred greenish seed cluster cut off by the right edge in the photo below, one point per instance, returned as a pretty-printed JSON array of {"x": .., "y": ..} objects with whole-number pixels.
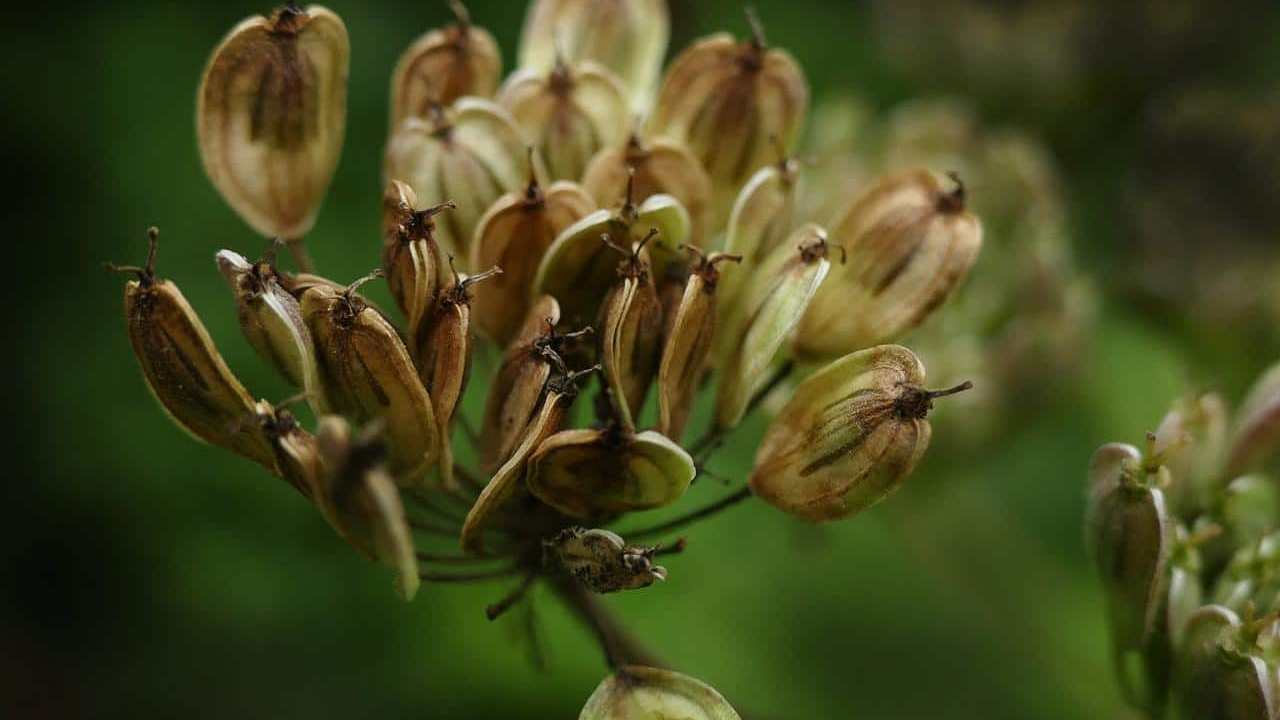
[{"x": 1186, "y": 540}]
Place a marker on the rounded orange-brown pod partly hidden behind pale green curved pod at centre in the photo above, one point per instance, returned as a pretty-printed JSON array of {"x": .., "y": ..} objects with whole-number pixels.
[{"x": 661, "y": 167}]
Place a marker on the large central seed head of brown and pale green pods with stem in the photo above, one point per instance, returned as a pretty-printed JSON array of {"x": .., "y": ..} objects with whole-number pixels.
[{"x": 684, "y": 253}]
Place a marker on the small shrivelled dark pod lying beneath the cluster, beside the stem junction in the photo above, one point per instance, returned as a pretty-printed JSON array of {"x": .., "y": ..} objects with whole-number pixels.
[{"x": 602, "y": 562}]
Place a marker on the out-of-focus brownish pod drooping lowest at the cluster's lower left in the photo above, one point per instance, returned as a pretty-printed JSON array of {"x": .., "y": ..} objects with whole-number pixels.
[{"x": 362, "y": 502}]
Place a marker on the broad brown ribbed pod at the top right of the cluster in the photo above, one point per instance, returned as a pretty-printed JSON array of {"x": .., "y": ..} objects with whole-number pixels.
[{"x": 725, "y": 101}]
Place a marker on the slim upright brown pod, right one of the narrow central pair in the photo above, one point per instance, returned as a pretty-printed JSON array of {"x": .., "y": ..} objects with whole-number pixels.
[{"x": 688, "y": 345}]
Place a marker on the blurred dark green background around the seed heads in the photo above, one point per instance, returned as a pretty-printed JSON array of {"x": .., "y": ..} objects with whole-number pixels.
[{"x": 148, "y": 576}]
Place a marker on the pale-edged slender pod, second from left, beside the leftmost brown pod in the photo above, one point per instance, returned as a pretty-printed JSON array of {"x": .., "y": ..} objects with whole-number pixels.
[{"x": 271, "y": 318}]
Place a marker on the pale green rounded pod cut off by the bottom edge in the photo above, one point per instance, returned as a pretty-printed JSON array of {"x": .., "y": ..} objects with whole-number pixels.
[{"x": 643, "y": 694}]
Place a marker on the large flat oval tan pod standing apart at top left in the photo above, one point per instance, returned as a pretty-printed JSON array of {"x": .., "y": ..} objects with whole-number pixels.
[{"x": 272, "y": 113}]
